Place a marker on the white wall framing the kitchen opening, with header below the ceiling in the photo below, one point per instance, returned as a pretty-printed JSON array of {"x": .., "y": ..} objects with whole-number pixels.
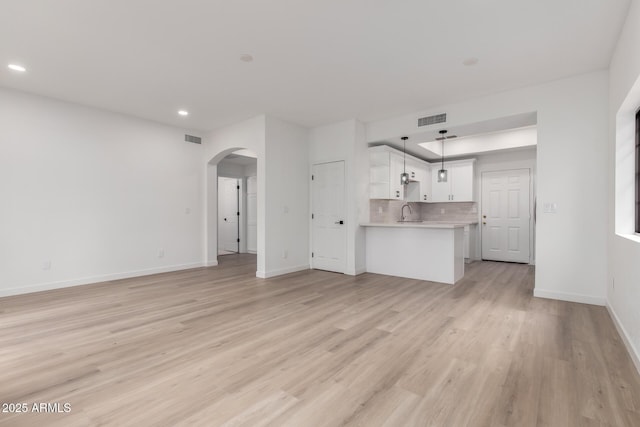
[{"x": 572, "y": 131}]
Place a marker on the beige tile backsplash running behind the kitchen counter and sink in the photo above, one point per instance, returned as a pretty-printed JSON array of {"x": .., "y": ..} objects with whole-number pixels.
[{"x": 389, "y": 211}]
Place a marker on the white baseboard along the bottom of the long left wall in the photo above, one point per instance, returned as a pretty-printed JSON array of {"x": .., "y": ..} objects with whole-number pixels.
[{"x": 96, "y": 279}]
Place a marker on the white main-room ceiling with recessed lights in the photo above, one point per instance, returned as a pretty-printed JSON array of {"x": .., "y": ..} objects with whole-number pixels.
[{"x": 316, "y": 62}]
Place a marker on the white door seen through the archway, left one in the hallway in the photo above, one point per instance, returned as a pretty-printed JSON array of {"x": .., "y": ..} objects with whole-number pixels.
[{"x": 228, "y": 214}]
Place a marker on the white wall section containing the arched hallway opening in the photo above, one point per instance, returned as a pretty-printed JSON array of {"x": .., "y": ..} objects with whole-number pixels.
[{"x": 248, "y": 134}]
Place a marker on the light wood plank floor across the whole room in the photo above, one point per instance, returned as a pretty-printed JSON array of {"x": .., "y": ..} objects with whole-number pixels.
[{"x": 218, "y": 346}]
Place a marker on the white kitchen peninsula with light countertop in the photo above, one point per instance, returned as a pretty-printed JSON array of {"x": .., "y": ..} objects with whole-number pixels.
[{"x": 425, "y": 250}]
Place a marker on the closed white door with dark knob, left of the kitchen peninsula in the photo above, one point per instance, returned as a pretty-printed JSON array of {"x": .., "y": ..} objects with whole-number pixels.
[{"x": 329, "y": 230}]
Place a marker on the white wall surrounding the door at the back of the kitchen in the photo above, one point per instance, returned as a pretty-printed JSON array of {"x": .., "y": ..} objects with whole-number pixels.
[{"x": 507, "y": 160}]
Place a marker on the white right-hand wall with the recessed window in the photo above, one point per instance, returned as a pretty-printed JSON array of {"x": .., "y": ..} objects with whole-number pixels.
[{"x": 623, "y": 290}]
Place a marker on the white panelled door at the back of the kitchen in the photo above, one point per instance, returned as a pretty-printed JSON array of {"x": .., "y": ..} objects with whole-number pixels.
[{"x": 506, "y": 215}]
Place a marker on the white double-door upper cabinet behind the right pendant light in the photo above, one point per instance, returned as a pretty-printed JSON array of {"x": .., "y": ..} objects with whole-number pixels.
[{"x": 459, "y": 185}]
